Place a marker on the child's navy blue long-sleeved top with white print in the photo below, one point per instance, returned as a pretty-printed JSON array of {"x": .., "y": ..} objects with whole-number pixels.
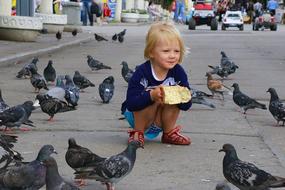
[{"x": 138, "y": 94}]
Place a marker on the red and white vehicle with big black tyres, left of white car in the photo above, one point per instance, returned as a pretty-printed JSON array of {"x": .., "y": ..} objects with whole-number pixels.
[{"x": 203, "y": 13}]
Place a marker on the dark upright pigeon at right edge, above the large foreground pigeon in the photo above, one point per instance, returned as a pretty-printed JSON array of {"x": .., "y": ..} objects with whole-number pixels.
[{"x": 276, "y": 107}]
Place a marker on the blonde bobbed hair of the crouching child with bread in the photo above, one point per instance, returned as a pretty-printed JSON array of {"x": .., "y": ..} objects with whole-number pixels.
[{"x": 165, "y": 32}]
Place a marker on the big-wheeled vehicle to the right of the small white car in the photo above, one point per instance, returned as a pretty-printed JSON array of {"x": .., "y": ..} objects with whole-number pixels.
[{"x": 264, "y": 21}]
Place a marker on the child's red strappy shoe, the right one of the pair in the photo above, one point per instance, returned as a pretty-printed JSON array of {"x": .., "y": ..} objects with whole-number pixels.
[{"x": 175, "y": 137}]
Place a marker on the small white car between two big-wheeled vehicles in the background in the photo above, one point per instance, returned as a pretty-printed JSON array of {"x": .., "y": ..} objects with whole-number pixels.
[{"x": 232, "y": 19}]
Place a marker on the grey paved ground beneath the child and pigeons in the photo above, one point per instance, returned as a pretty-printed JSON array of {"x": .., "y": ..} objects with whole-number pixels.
[{"x": 159, "y": 166}]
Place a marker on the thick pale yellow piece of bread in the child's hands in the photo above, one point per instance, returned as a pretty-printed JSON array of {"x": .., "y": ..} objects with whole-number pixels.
[{"x": 176, "y": 94}]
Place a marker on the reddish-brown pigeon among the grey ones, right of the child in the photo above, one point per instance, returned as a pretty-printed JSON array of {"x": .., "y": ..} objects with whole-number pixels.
[{"x": 216, "y": 86}]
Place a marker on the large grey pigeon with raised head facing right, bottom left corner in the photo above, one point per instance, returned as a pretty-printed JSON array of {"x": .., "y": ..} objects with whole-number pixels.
[{"x": 29, "y": 176}]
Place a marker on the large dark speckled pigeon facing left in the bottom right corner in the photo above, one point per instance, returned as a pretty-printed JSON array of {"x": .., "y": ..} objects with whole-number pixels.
[{"x": 246, "y": 176}]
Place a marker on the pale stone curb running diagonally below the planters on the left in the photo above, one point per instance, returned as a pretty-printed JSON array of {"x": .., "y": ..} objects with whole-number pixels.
[{"x": 9, "y": 60}]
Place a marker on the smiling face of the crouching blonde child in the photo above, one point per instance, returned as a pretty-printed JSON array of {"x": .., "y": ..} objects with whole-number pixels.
[{"x": 166, "y": 55}]
